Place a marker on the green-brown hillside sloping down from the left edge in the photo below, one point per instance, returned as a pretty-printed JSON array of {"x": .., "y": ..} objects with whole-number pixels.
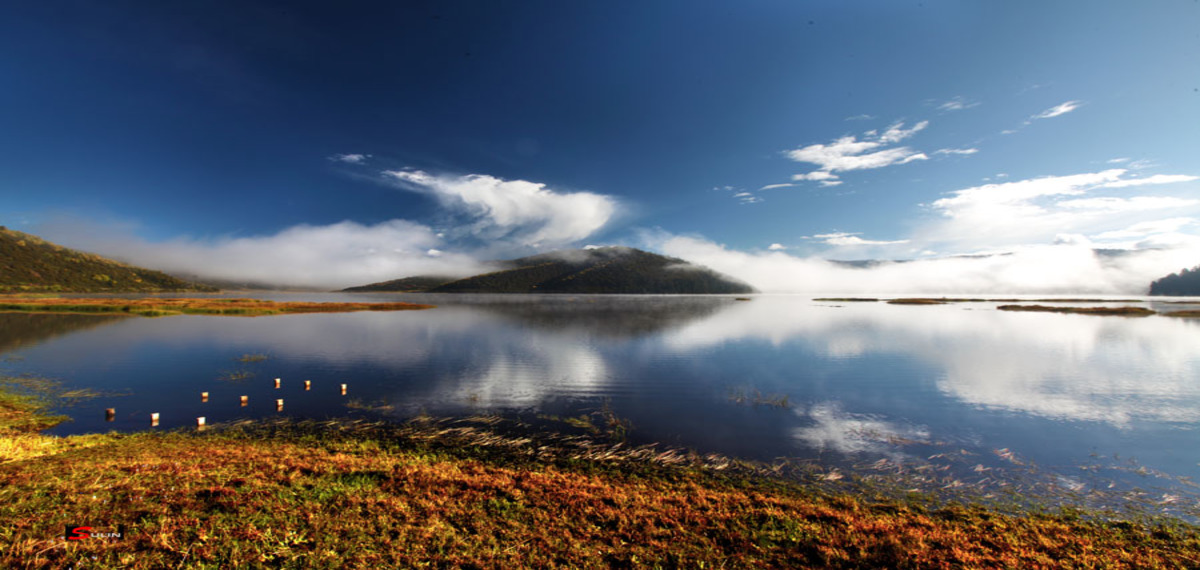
[{"x": 31, "y": 265}]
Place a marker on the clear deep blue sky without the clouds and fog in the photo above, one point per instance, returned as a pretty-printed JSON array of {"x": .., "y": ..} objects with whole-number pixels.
[{"x": 208, "y": 119}]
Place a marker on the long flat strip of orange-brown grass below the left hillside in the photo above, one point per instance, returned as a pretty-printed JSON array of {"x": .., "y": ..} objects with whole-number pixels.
[{"x": 161, "y": 308}]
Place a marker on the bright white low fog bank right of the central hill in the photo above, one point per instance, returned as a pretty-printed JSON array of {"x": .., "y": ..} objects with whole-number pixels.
[{"x": 1052, "y": 269}]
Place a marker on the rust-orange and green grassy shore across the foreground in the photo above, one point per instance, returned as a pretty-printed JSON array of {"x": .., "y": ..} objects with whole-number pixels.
[{"x": 484, "y": 494}]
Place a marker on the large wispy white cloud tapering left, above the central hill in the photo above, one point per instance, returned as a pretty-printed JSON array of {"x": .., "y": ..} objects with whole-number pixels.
[{"x": 517, "y": 211}]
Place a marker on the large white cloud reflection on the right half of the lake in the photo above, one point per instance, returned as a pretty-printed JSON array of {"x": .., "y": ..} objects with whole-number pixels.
[{"x": 1060, "y": 367}]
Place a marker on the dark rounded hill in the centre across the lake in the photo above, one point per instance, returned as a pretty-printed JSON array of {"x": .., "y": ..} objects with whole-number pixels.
[{"x": 613, "y": 271}]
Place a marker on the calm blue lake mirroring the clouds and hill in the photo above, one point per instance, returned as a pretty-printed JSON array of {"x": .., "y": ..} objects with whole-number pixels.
[{"x": 951, "y": 395}]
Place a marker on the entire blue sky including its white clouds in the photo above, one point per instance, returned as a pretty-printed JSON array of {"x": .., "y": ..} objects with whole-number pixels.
[{"x": 405, "y": 137}]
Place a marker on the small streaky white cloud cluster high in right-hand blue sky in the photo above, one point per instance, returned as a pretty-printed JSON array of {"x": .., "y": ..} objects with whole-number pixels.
[{"x": 851, "y": 154}]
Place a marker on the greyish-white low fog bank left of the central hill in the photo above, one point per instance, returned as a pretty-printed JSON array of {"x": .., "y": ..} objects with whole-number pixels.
[{"x": 334, "y": 256}]
